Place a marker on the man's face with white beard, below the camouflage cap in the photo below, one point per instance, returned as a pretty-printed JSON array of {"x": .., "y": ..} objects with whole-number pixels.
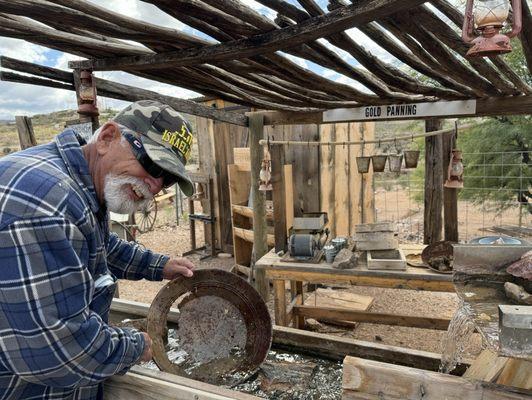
[{"x": 127, "y": 187}]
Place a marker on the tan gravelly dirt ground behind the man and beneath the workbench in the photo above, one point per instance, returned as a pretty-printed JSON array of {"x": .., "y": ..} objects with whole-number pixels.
[{"x": 172, "y": 239}]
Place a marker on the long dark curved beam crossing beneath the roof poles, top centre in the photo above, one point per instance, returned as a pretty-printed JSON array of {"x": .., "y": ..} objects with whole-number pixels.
[{"x": 314, "y": 28}]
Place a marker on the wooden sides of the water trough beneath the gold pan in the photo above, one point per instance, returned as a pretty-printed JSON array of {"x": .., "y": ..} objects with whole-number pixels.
[{"x": 142, "y": 383}]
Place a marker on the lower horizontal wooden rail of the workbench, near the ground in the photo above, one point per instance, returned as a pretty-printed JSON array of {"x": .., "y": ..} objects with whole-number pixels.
[{"x": 320, "y": 313}]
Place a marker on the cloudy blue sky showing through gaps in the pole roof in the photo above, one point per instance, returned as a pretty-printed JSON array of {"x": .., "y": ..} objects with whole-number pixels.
[{"x": 21, "y": 99}]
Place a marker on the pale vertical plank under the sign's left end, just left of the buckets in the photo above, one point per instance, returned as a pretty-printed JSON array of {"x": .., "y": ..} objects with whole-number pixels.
[{"x": 341, "y": 174}]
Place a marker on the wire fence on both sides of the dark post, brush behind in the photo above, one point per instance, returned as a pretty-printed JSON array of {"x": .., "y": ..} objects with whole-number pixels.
[{"x": 495, "y": 198}]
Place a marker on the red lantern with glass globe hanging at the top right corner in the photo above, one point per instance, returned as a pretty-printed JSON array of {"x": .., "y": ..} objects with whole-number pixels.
[{"x": 488, "y": 18}]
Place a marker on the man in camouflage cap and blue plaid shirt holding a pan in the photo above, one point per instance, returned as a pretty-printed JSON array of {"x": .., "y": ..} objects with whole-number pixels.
[{"x": 58, "y": 262}]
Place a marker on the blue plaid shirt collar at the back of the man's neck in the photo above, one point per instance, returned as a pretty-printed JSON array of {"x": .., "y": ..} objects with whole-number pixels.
[{"x": 70, "y": 150}]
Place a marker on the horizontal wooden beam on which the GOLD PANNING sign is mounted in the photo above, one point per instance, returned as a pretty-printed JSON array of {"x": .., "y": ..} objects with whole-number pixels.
[{"x": 492, "y": 106}]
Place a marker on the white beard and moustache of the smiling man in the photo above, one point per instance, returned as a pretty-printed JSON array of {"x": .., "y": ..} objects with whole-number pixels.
[{"x": 118, "y": 199}]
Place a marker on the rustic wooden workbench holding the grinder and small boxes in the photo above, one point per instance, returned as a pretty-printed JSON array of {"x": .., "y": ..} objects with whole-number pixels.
[{"x": 297, "y": 273}]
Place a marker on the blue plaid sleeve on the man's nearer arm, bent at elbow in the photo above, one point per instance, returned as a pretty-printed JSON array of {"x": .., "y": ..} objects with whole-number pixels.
[{"x": 48, "y": 335}]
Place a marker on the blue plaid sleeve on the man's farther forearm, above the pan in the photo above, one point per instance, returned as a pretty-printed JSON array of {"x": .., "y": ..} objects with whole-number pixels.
[{"x": 127, "y": 260}]
